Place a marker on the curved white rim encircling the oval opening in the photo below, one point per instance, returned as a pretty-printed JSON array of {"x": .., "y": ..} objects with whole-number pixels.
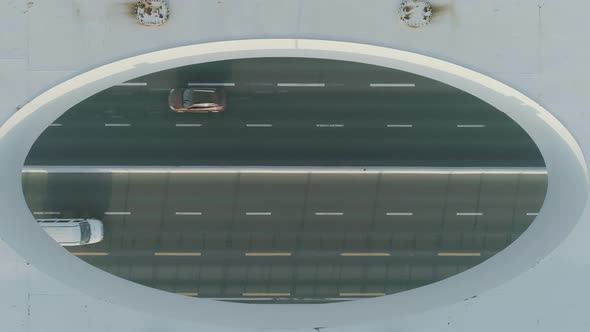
[{"x": 566, "y": 196}]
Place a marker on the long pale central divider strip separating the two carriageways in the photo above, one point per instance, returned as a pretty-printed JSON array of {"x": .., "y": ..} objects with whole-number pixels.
[{"x": 284, "y": 170}]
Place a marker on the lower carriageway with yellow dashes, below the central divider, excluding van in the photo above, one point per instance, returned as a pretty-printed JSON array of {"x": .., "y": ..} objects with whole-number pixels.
[{"x": 291, "y": 238}]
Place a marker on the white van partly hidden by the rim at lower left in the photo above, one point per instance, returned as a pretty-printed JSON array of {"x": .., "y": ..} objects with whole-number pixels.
[{"x": 73, "y": 232}]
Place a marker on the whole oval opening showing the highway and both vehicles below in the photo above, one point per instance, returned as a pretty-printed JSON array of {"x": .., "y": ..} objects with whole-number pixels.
[{"x": 284, "y": 180}]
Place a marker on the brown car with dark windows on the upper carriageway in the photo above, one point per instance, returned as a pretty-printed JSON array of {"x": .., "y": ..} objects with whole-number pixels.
[{"x": 202, "y": 100}]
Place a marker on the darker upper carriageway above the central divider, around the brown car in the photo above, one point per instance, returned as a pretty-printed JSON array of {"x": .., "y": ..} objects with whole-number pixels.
[{"x": 288, "y": 112}]
